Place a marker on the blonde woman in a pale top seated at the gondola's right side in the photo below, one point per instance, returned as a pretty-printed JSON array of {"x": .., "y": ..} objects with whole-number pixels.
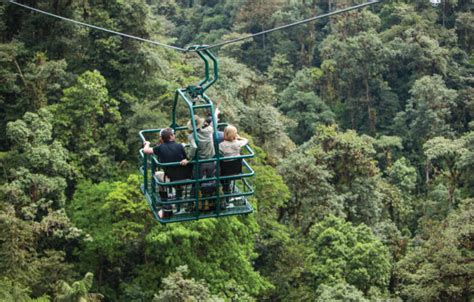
[{"x": 231, "y": 147}]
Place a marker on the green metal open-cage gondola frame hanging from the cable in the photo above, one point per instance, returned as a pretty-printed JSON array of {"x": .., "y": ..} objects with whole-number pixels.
[{"x": 186, "y": 199}]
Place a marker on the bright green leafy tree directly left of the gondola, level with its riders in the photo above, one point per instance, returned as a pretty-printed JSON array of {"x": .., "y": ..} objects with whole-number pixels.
[{"x": 86, "y": 121}]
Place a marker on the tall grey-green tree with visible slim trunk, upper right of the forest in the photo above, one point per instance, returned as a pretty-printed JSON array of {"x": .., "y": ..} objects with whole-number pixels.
[{"x": 357, "y": 65}]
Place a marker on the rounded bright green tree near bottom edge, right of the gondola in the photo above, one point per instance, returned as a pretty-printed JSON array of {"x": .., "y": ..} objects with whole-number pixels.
[{"x": 342, "y": 252}]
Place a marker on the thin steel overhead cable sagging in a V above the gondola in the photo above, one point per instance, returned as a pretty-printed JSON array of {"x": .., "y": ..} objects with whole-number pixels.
[{"x": 340, "y": 11}]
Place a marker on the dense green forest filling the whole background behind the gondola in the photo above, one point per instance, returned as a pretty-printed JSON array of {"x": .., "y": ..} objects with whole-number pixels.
[{"x": 362, "y": 125}]
